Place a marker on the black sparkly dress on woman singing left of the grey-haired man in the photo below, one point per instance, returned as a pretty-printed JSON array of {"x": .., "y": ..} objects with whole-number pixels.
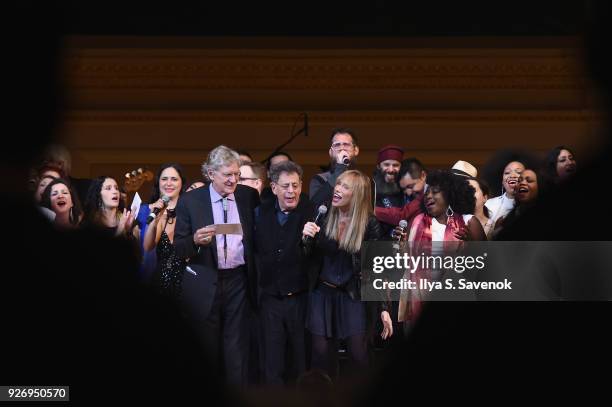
[{"x": 170, "y": 268}]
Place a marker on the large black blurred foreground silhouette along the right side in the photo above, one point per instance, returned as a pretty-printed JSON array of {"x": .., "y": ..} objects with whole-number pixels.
[{"x": 470, "y": 350}]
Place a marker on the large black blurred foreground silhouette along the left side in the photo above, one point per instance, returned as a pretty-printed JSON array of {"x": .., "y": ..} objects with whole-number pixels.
[{"x": 73, "y": 310}]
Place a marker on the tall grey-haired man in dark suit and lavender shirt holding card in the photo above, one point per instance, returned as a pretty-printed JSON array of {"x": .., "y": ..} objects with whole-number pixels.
[{"x": 220, "y": 279}]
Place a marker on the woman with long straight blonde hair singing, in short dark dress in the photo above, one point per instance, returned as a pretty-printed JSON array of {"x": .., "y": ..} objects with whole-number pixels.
[{"x": 336, "y": 310}]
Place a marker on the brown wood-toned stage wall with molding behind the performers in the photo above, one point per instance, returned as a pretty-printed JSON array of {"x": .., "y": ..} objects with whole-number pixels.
[{"x": 141, "y": 101}]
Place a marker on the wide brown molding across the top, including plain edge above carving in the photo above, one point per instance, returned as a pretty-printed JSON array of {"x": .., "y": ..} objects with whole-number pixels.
[{"x": 122, "y": 64}]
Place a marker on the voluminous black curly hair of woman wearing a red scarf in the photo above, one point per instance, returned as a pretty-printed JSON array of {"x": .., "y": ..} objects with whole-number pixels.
[{"x": 457, "y": 192}]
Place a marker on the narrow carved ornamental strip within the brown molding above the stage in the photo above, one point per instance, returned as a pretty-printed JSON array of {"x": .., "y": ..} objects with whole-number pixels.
[{"x": 340, "y": 74}]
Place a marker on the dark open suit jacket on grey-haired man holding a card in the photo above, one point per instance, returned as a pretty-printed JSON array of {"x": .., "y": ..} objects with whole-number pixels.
[{"x": 194, "y": 211}]
